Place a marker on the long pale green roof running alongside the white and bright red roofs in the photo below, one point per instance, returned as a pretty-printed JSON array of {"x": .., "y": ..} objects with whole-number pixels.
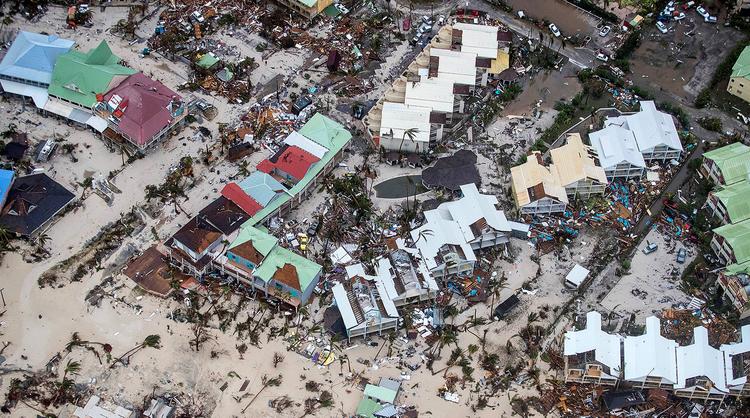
[{"x": 322, "y": 131}]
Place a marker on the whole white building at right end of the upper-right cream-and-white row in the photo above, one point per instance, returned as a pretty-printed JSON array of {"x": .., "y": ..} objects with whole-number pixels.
[{"x": 654, "y": 131}]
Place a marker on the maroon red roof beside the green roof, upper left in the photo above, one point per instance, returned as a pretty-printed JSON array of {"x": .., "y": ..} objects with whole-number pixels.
[{"x": 146, "y": 113}]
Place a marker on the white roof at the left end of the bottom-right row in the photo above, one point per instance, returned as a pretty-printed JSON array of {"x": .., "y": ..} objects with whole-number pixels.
[{"x": 606, "y": 346}]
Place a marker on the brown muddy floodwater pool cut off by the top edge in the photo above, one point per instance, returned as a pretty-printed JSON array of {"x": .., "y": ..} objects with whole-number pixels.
[{"x": 568, "y": 18}]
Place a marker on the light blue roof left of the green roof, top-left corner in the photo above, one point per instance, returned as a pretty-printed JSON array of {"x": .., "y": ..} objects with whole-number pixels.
[{"x": 32, "y": 56}]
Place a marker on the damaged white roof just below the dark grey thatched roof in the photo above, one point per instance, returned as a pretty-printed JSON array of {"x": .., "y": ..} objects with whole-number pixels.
[{"x": 451, "y": 224}]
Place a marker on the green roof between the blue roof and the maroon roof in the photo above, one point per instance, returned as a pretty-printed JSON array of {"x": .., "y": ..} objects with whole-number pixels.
[{"x": 78, "y": 77}]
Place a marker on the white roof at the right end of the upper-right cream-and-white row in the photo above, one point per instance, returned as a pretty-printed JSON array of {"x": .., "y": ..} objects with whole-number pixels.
[{"x": 650, "y": 127}]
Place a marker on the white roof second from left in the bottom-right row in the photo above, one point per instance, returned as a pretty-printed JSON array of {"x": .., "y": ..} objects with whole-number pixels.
[{"x": 650, "y": 354}]
